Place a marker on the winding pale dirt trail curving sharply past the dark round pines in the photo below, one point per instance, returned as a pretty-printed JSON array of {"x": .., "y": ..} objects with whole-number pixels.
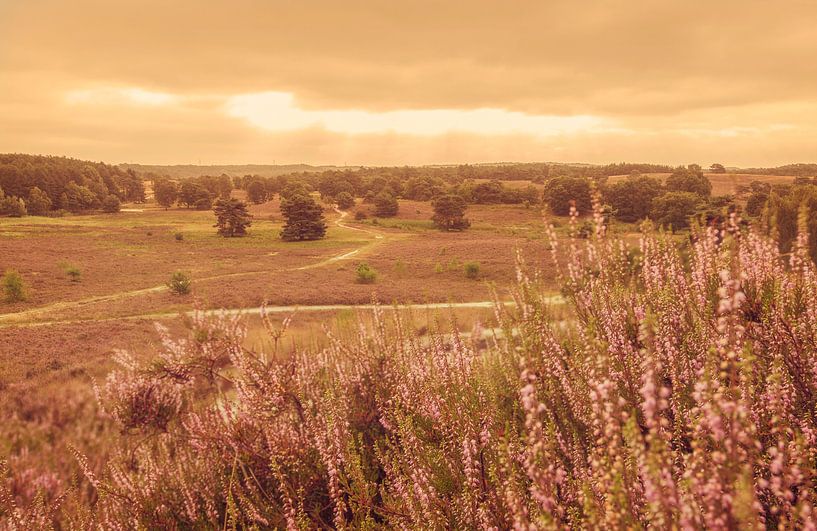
[{"x": 26, "y": 316}]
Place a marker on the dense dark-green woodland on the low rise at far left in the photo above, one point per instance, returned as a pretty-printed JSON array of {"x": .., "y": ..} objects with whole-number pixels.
[{"x": 40, "y": 185}]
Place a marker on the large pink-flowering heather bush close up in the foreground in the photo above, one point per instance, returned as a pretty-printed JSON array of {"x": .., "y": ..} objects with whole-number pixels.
[{"x": 679, "y": 394}]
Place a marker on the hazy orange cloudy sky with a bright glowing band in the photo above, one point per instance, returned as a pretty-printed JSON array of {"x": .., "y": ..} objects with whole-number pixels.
[{"x": 384, "y": 82}]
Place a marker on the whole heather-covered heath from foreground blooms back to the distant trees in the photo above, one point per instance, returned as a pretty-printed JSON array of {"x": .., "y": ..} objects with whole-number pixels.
[{"x": 93, "y": 368}]
